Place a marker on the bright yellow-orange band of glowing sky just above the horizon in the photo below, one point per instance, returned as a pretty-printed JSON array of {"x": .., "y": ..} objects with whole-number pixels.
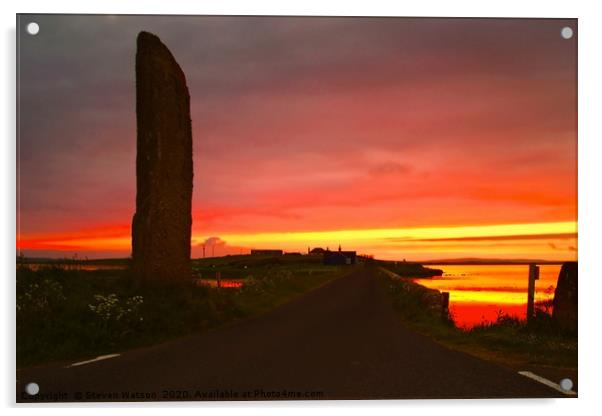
[{"x": 381, "y": 242}]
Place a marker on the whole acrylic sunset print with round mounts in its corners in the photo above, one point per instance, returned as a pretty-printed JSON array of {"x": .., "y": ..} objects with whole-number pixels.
[{"x": 295, "y": 208}]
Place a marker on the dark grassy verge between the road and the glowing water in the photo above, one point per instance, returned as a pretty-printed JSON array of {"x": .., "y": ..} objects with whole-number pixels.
[{"x": 509, "y": 341}]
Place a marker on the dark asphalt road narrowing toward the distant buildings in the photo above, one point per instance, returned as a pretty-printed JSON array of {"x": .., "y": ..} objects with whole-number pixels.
[{"x": 342, "y": 341}]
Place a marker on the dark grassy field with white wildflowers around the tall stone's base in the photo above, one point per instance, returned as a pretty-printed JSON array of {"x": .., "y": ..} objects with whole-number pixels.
[{"x": 66, "y": 311}]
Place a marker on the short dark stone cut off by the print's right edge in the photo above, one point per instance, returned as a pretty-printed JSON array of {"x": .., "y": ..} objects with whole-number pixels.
[{"x": 565, "y": 297}]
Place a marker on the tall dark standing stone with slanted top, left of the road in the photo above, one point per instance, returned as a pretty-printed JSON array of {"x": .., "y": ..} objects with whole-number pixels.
[{"x": 162, "y": 222}]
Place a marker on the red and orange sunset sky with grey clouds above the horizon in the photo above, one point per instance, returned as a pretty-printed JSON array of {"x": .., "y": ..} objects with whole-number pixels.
[{"x": 401, "y": 138}]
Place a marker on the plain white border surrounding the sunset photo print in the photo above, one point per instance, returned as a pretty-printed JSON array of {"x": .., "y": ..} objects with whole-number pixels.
[{"x": 590, "y": 207}]
